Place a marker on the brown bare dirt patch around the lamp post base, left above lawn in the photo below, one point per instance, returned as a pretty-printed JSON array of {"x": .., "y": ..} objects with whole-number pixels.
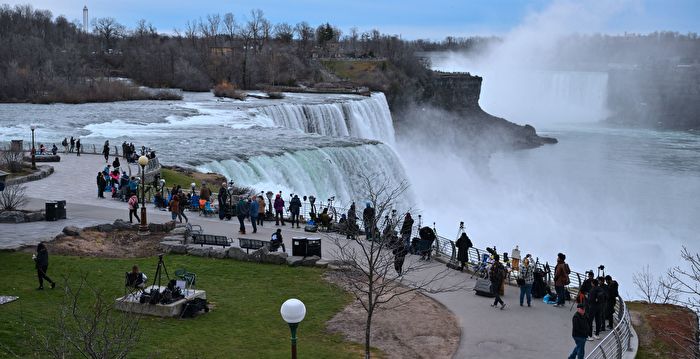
[{"x": 116, "y": 244}]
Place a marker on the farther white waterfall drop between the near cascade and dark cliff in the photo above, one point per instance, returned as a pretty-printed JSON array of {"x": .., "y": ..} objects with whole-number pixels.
[{"x": 368, "y": 118}]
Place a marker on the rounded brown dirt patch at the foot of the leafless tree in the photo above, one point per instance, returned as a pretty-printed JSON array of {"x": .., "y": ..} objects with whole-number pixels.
[{"x": 415, "y": 326}]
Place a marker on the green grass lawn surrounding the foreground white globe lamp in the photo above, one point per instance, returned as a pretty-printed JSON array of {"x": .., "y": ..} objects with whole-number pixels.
[{"x": 244, "y": 321}]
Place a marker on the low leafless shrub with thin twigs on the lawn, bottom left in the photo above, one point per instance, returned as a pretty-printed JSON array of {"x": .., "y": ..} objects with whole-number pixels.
[{"x": 88, "y": 330}]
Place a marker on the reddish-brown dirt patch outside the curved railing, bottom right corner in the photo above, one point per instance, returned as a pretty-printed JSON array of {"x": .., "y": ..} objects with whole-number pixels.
[{"x": 665, "y": 330}]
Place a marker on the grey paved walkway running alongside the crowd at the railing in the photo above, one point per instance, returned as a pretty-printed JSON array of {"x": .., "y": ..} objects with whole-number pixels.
[{"x": 516, "y": 332}]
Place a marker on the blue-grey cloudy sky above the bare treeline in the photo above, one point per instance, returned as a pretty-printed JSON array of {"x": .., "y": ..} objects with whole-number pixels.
[{"x": 411, "y": 19}]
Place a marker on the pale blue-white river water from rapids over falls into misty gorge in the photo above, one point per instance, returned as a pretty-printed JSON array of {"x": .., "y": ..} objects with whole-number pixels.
[{"x": 624, "y": 198}]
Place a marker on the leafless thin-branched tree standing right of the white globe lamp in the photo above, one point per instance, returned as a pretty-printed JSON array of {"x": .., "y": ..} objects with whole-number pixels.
[{"x": 372, "y": 266}]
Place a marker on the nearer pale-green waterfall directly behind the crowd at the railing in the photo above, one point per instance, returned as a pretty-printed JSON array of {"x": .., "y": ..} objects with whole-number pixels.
[{"x": 322, "y": 172}]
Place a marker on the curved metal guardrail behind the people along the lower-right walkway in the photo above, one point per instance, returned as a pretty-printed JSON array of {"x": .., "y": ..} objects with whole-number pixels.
[{"x": 614, "y": 345}]
